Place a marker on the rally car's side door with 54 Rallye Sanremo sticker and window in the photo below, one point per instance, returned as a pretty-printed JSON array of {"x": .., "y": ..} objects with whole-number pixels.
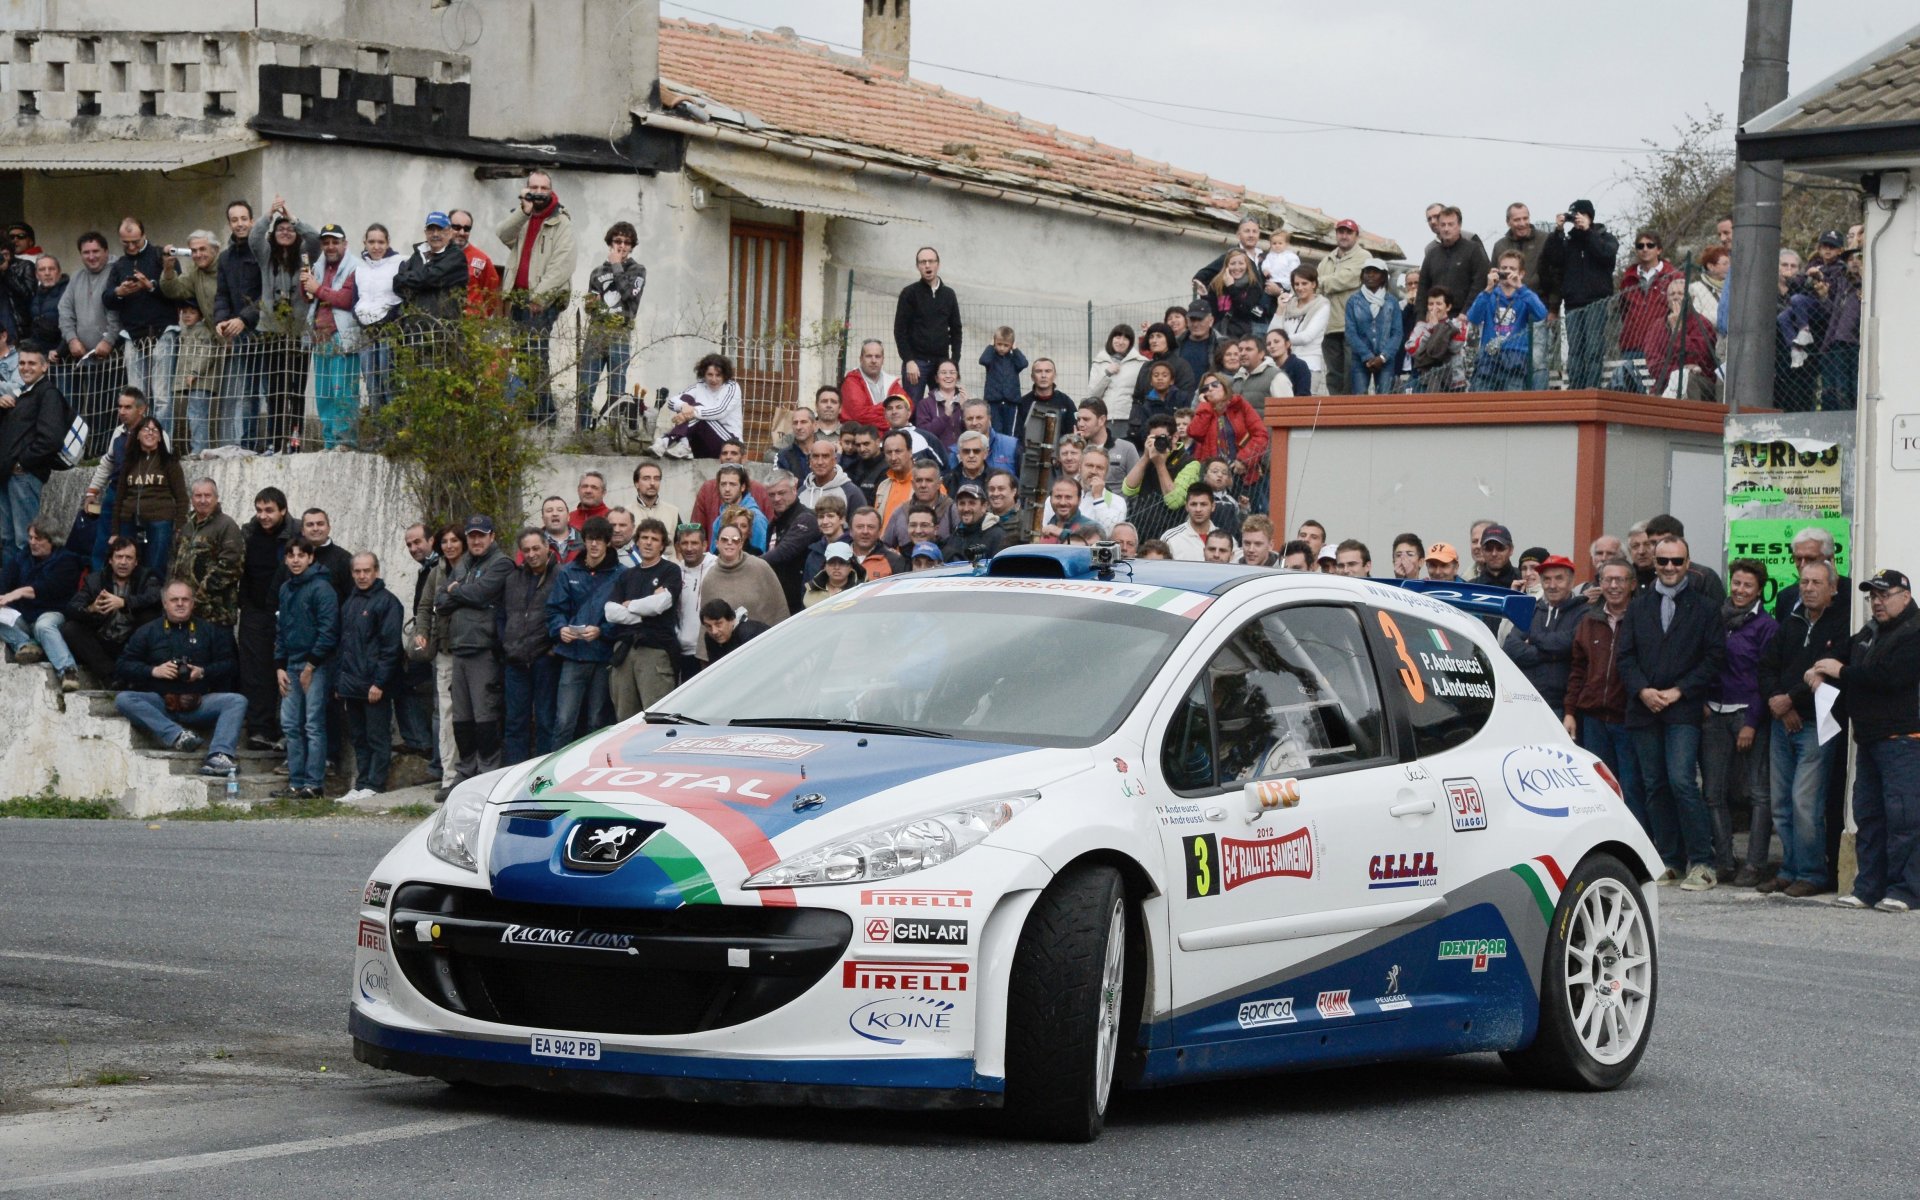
[{"x": 1287, "y": 711}]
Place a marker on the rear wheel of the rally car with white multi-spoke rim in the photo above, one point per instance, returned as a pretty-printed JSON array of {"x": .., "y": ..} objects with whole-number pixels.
[{"x": 1598, "y": 984}]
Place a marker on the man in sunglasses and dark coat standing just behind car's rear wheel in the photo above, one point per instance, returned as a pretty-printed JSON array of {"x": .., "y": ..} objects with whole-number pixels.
[{"x": 1671, "y": 648}]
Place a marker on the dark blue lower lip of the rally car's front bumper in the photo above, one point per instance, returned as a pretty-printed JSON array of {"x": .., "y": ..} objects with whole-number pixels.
[{"x": 919, "y": 1084}]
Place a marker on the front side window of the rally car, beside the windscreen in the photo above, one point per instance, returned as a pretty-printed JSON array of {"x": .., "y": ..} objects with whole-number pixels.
[{"x": 1291, "y": 694}]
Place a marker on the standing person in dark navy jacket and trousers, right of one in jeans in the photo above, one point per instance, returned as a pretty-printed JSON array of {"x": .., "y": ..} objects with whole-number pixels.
[{"x": 368, "y": 667}]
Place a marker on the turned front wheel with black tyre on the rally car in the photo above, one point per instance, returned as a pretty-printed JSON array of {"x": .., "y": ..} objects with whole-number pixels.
[{"x": 1067, "y": 1015}]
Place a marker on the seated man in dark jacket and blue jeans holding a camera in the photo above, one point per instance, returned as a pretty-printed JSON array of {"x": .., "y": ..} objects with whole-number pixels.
[{"x": 176, "y": 671}]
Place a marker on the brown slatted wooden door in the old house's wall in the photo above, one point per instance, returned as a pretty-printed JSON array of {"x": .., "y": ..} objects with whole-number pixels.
[{"x": 763, "y": 324}]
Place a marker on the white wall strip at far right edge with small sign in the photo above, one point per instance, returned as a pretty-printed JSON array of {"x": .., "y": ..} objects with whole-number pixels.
[{"x": 1890, "y": 412}]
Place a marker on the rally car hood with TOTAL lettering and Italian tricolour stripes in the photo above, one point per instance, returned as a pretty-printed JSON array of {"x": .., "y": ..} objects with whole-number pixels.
[{"x": 709, "y": 807}]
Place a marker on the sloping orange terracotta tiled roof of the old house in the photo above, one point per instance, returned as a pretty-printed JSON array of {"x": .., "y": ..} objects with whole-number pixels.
[{"x": 804, "y": 93}]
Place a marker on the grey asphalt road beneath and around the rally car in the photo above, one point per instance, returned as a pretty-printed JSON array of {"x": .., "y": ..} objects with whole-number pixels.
[{"x": 208, "y": 967}]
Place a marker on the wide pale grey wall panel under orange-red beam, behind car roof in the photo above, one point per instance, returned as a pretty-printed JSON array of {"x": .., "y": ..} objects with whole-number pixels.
[{"x": 1378, "y": 483}]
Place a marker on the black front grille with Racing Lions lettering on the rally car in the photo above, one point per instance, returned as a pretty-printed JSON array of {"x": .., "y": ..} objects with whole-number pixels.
[{"x": 621, "y": 972}]
